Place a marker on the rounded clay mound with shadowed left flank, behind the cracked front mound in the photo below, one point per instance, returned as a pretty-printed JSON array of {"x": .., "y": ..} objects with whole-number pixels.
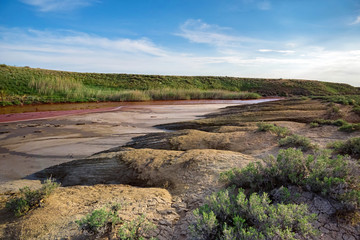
[{"x": 175, "y": 170}]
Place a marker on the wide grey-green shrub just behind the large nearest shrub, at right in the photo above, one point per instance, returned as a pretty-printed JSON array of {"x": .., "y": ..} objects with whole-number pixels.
[{"x": 318, "y": 173}]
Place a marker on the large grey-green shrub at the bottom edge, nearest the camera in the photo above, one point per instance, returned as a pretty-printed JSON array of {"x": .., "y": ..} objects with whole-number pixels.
[{"x": 227, "y": 215}]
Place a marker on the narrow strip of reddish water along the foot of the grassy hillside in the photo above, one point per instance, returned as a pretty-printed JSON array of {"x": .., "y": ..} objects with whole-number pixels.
[{"x": 44, "y": 111}]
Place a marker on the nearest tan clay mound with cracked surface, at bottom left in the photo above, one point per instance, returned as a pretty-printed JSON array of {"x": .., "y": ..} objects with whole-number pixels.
[{"x": 56, "y": 219}]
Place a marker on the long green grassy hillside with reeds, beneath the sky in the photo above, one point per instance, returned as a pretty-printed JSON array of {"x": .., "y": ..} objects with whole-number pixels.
[{"x": 28, "y": 85}]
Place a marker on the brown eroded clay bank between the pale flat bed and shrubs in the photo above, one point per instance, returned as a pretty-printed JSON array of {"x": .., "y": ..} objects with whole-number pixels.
[{"x": 167, "y": 175}]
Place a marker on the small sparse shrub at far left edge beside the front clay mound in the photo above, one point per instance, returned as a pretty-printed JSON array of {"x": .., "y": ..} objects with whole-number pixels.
[{"x": 30, "y": 199}]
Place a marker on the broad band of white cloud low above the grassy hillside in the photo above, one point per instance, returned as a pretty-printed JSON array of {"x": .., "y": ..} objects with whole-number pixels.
[{"x": 76, "y": 51}]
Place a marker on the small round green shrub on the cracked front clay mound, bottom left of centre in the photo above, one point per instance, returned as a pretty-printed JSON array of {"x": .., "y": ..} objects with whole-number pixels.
[{"x": 99, "y": 221}]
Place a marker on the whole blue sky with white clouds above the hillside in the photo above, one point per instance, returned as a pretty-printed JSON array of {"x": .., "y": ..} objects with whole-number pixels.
[{"x": 305, "y": 39}]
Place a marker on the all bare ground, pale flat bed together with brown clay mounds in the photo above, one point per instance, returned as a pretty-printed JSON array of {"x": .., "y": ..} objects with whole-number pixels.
[{"x": 164, "y": 174}]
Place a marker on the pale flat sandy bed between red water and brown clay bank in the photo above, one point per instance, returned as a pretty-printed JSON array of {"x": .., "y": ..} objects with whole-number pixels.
[{"x": 29, "y": 146}]
